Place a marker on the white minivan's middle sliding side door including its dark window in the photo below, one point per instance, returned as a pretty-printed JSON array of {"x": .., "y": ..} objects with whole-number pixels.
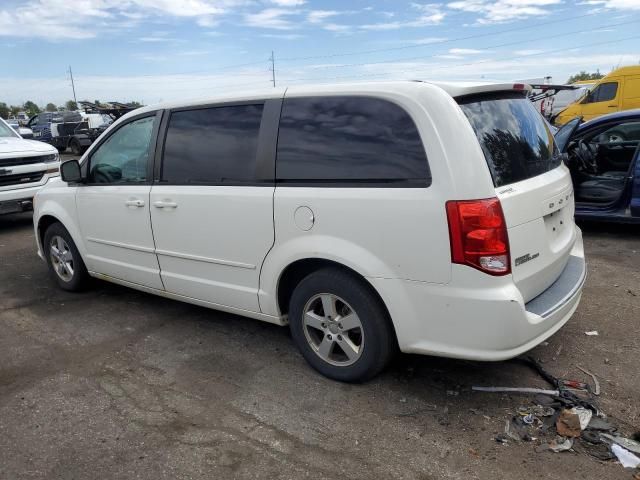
[{"x": 212, "y": 205}]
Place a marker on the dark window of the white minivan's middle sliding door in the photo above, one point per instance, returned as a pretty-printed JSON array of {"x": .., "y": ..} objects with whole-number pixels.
[{"x": 212, "y": 145}]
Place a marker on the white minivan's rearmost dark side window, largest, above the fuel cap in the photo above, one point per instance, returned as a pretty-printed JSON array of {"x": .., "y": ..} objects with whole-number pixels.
[{"x": 349, "y": 139}]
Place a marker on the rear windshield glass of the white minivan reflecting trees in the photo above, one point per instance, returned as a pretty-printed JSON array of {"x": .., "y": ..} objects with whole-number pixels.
[{"x": 514, "y": 137}]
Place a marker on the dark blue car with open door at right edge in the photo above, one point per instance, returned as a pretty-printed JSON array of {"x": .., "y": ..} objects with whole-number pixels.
[{"x": 602, "y": 155}]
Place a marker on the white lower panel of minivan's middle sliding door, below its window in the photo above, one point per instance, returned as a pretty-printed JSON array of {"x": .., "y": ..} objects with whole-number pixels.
[{"x": 210, "y": 246}]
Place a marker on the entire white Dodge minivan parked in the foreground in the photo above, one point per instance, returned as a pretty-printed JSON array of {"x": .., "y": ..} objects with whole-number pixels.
[{"x": 429, "y": 218}]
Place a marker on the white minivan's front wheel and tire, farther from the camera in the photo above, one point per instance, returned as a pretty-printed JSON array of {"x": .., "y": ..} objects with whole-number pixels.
[{"x": 65, "y": 263}]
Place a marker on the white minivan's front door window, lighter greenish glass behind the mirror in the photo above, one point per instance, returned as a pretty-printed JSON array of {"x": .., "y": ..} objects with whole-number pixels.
[{"x": 124, "y": 156}]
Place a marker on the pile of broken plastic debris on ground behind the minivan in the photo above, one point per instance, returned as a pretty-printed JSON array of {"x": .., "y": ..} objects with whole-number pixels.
[{"x": 566, "y": 418}]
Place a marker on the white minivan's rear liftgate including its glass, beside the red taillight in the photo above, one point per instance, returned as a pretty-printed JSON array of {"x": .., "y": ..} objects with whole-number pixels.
[{"x": 532, "y": 183}]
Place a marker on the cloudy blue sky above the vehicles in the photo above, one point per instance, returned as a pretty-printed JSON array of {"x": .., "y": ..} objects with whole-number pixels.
[{"x": 155, "y": 50}]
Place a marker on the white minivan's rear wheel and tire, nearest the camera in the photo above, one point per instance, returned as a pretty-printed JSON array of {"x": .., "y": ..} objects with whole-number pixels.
[{"x": 340, "y": 326}]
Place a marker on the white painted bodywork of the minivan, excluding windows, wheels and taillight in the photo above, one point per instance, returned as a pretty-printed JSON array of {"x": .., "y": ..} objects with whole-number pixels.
[{"x": 227, "y": 247}]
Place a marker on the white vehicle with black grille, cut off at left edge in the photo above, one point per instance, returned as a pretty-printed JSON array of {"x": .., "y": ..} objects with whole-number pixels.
[{"x": 25, "y": 166}]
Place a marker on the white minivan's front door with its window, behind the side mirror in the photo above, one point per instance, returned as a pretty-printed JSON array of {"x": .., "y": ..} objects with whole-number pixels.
[{"x": 113, "y": 206}]
